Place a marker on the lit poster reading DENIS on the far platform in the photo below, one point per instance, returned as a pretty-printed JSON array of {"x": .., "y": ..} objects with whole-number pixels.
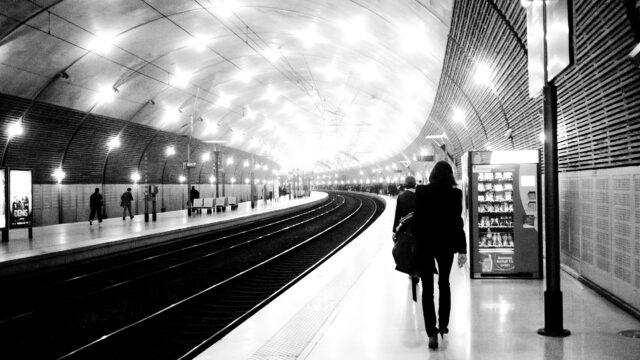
[{"x": 21, "y": 199}]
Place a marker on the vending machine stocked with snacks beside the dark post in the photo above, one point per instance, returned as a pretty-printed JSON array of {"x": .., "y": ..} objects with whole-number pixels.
[{"x": 502, "y": 209}]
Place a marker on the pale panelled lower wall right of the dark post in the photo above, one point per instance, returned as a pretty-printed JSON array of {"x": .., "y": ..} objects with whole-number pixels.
[{"x": 600, "y": 228}]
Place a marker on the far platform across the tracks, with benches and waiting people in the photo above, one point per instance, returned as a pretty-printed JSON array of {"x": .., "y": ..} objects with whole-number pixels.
[{"x": 58, "y": 244}]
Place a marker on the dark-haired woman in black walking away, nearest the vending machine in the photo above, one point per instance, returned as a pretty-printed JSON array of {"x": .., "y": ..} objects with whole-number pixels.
[{"x": 439, "y": 230}]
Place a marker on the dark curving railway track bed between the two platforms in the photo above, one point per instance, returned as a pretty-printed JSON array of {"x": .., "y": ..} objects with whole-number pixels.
[{"x": 174, "y": 304}]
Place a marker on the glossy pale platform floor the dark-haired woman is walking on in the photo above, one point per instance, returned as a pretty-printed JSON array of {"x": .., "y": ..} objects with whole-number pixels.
[{"x": 356, "y": 306}]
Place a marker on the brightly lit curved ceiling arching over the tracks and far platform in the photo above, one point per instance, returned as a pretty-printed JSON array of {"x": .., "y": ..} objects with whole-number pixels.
[{"x": 318, "y": 85}]
